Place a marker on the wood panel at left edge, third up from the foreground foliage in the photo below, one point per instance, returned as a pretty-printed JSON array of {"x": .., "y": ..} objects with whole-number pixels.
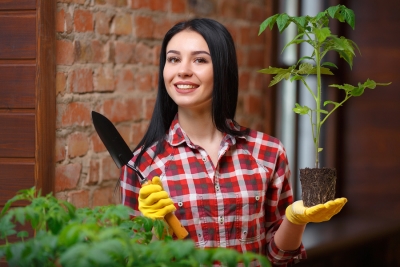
[{"x": 17, "y": 86}]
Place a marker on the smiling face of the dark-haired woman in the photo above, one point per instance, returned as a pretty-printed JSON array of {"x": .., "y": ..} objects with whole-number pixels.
[{"x": 188, "y": 71}]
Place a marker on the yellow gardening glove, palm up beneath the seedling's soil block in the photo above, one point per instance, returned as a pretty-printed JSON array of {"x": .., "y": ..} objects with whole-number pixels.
[{"x": 298, "y": 214}]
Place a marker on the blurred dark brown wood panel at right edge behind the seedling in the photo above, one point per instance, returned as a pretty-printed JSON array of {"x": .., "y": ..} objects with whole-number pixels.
[{"x": 369, "y": 126}]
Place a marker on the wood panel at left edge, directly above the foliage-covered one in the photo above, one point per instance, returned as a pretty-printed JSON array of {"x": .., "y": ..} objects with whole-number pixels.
[{"x": 17, "y": 135}]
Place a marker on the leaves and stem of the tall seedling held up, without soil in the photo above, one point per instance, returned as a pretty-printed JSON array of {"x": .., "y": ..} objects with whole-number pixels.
[{"x": 315, "y": 31}]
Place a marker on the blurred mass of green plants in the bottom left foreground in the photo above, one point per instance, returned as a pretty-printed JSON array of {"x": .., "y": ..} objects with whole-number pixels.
[{"x": 104, "y": 236}]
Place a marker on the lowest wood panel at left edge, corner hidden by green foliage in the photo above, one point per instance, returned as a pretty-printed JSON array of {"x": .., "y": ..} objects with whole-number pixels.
[{"x": 15, "y": 176}]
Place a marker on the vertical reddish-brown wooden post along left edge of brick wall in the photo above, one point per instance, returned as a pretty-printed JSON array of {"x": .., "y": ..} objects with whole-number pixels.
[{"x": 45, "y": 95}]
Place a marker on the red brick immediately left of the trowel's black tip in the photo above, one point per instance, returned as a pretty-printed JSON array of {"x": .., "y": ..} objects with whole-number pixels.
[{"x": 75, "y": 114}]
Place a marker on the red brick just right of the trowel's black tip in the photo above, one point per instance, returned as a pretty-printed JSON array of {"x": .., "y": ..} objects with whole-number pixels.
[{"x": 123, "y": 110}]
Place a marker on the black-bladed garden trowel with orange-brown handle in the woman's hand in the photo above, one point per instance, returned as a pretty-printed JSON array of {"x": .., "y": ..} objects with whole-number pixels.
[{"x": 121, "y": 154}]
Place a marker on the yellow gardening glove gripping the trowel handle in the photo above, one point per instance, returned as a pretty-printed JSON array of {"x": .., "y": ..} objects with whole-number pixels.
[{"x": 154, "y": 202}]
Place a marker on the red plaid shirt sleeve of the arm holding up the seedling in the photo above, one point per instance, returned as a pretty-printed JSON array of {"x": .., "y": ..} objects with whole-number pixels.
[{"x": 279, "y": 195}]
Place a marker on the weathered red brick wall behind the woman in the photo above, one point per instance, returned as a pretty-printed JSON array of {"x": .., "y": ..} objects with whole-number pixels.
[{"x": 107, "y": 61}]
